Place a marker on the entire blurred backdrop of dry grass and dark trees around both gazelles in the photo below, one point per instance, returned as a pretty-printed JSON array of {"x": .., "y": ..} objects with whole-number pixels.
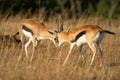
[{"x": 48, "y": 60}]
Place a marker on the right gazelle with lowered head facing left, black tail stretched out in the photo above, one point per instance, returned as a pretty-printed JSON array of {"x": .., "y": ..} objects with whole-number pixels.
[{"x": 90, "y": 34}]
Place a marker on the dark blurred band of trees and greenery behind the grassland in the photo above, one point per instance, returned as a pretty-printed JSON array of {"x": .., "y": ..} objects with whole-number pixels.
[{"x": 68, "y": 8}]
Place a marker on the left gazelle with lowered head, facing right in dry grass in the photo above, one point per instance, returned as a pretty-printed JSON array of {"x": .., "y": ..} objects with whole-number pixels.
[{"x": 35, "y": 31}]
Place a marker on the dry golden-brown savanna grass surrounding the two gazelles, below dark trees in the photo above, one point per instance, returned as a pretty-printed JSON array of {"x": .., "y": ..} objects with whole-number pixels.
[{"x": 48, "y": 60}]
